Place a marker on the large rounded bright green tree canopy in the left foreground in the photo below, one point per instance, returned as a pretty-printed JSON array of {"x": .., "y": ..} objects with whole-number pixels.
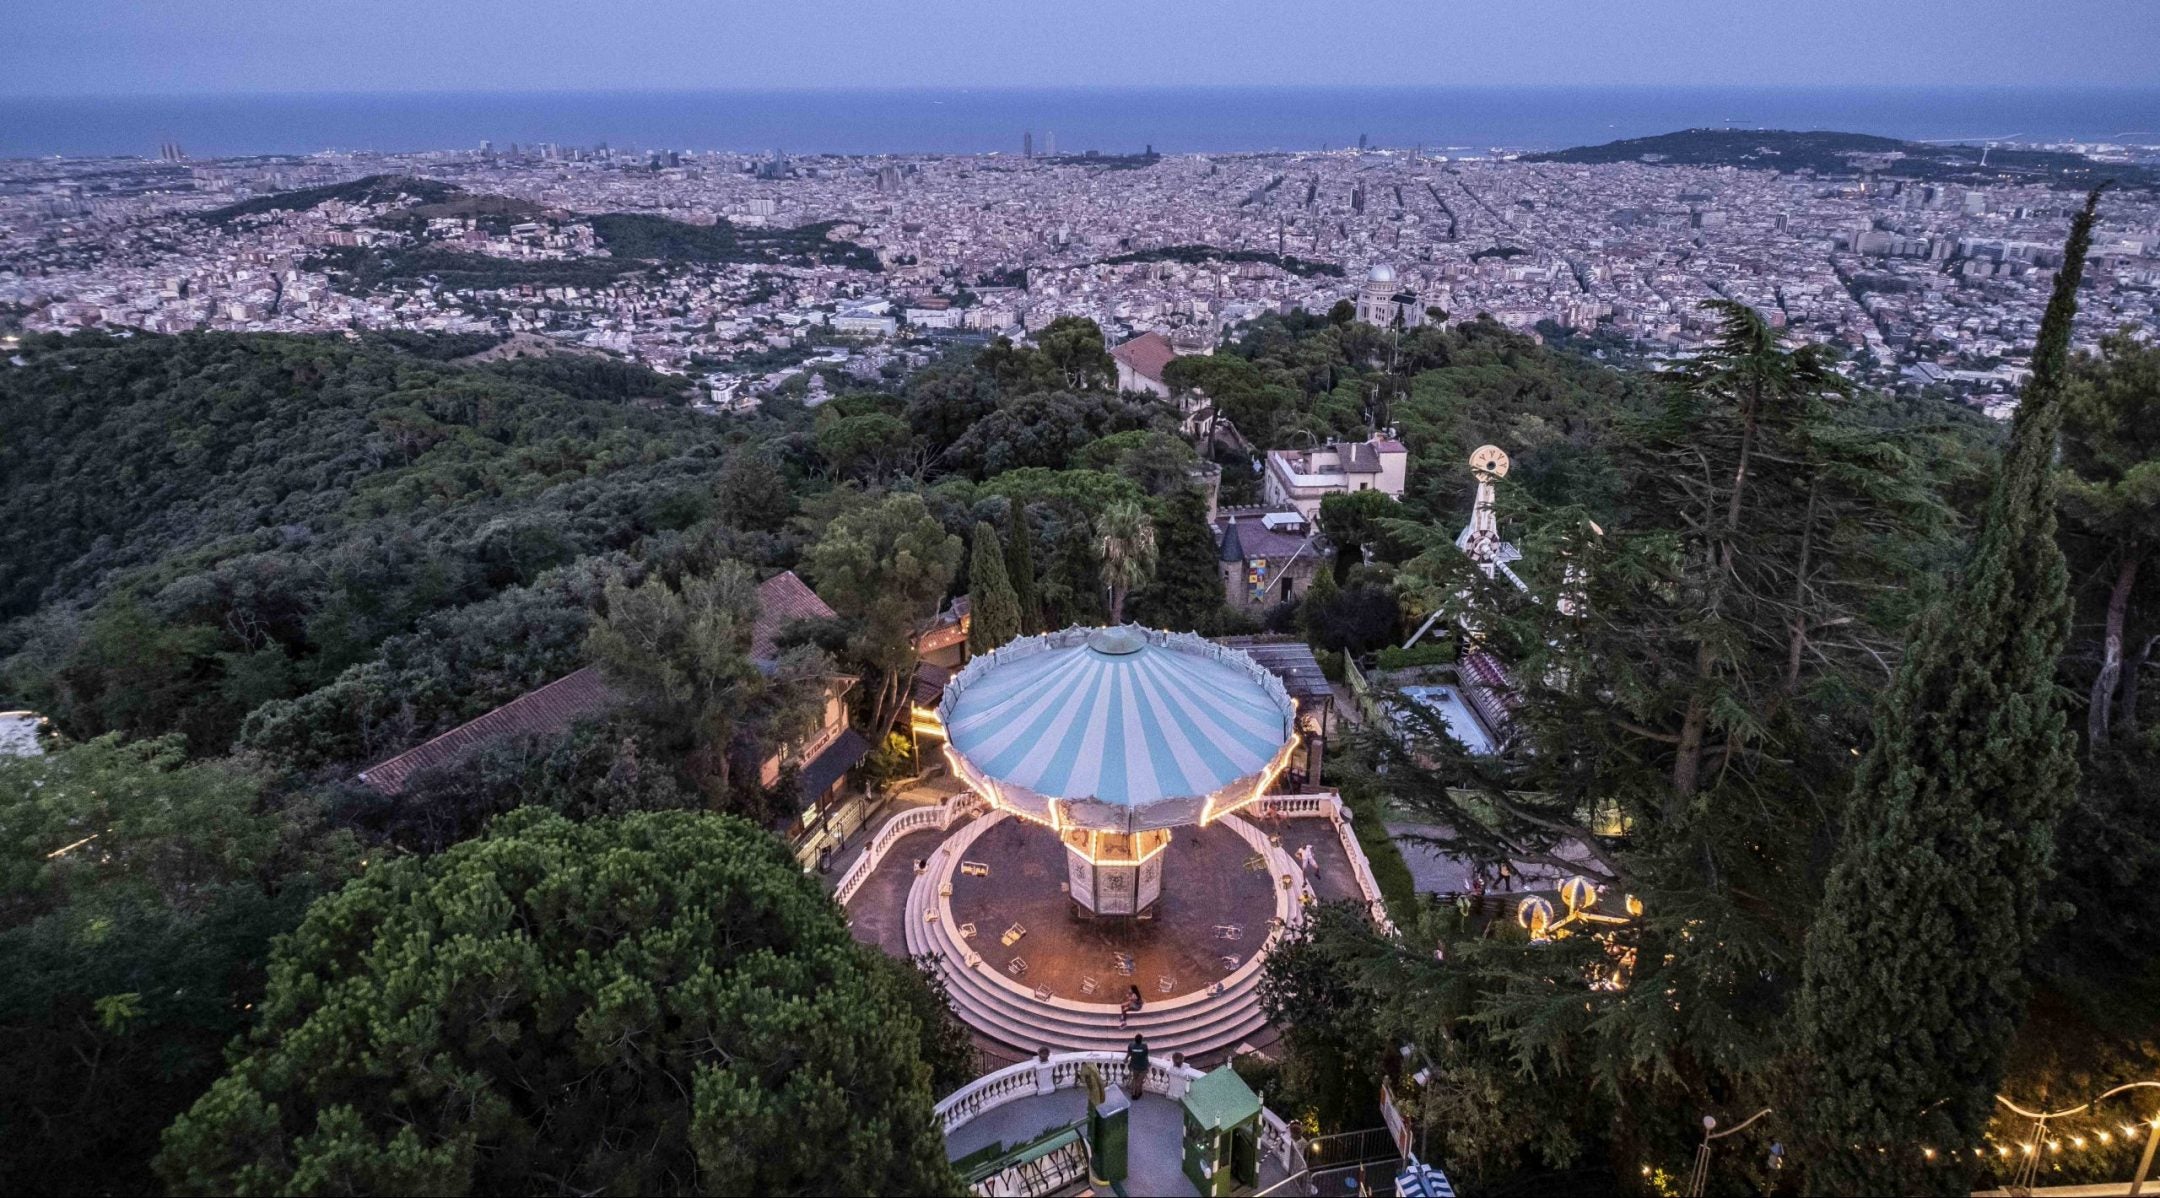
[{"x": 653, "y": 1005}]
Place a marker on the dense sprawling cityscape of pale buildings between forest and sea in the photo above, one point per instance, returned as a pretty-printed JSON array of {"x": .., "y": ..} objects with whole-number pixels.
[{"x": 1919, "y": 284}]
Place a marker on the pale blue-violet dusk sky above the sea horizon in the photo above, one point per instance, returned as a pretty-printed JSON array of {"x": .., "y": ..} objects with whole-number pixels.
[{"x": 401, "y": 46}]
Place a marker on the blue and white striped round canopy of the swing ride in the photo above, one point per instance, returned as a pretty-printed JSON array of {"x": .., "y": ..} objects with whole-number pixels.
[{"x": 1118, "y": 729}]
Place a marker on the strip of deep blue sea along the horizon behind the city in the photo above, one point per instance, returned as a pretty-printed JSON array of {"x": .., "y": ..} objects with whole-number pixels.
[{"x": 1442, "y": 120}]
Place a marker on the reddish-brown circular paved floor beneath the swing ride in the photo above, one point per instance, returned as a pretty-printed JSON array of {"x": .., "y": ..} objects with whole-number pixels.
[{"x": 1215, "y": 912}]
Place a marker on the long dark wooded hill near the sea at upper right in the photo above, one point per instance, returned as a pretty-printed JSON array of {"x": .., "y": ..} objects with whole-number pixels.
[{"x": 1826, "y": 152}]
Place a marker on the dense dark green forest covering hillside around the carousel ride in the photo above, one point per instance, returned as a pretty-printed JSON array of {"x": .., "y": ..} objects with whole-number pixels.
[{"x": 1822, "y": 679}]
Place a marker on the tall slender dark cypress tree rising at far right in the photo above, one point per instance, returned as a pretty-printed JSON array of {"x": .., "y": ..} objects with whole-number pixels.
[{"x": 1913, "y": 979}]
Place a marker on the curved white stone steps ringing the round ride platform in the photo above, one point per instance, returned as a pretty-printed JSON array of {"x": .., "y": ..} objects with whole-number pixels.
[{"x": 1014, "y": 1016}]
